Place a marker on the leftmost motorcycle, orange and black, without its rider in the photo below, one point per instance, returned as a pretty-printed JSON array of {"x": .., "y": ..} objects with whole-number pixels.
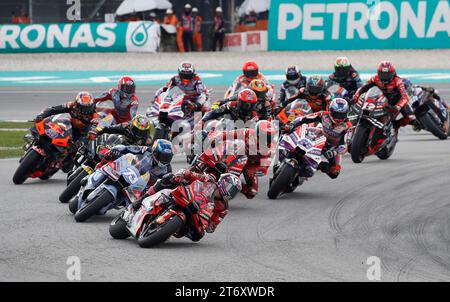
[{"x": 46, "y": 149}]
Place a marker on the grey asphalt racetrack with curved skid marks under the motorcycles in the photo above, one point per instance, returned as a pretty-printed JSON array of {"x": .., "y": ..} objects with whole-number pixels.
[{"x": 397, "y": 210}]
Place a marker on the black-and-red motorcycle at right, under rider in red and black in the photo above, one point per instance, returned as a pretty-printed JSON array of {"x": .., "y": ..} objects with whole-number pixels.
[{"x": 374, "y": 132}]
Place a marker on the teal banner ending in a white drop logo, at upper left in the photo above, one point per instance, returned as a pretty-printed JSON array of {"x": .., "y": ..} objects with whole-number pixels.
[{"x": 80, "y": 37}]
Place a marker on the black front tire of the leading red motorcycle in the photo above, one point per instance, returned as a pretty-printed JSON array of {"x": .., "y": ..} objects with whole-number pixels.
[{"x": 162, "y": 233}]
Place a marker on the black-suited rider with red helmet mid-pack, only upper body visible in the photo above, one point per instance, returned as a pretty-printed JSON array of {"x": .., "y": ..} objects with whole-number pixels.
[{"x": 241, "y": 109}]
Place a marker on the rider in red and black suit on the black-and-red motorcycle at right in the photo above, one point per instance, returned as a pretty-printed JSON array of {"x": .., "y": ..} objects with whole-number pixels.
[{"x": 394, "y": 90}]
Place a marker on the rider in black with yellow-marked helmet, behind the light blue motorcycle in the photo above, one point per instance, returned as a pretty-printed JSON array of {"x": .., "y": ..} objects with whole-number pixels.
[{"x": 136, "y": 132}]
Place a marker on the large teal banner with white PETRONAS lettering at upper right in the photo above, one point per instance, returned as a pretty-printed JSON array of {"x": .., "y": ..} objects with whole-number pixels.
[{"x": 359, "y": 24}]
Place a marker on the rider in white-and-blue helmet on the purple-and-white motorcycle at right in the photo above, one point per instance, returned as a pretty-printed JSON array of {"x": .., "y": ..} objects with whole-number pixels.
[{"x": 335, "y": 125}]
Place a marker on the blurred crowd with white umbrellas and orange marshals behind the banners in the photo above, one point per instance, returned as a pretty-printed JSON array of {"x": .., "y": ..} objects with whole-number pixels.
[{"x": 195, "y": 25}]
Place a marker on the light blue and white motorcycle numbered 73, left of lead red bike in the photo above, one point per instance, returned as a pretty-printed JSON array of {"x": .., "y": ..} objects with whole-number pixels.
[{"x": 112, "y": 186}]
